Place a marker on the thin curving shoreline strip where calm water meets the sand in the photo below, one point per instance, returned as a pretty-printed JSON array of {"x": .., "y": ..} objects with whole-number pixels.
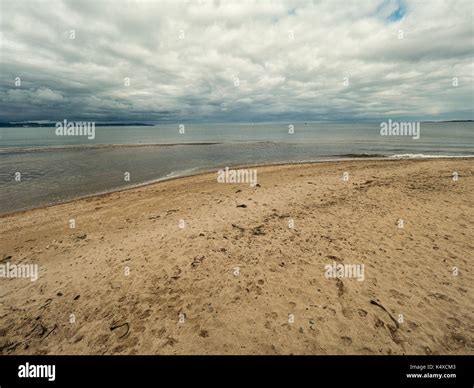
[{"x": 212, "y": 170}]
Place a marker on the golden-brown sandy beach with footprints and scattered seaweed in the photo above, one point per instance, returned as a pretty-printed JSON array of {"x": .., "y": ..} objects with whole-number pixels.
[{"x": 193, "y": 266}]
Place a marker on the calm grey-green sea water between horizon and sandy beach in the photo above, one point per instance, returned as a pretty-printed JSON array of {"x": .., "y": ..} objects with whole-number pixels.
[{"x": 57, "y": 168}]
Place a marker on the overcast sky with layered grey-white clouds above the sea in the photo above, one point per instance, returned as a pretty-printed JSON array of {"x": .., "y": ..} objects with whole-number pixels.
[{"x": 236, "y": 61}]
